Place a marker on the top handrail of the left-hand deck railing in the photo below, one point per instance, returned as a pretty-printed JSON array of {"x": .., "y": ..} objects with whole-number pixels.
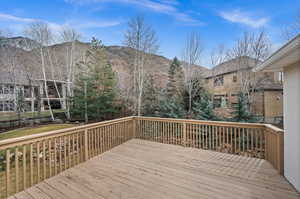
[{"x": 14, "y": 141}]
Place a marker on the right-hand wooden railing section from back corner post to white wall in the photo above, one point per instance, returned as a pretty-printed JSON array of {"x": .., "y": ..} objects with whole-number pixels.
[{"x": 247, "y": 139}]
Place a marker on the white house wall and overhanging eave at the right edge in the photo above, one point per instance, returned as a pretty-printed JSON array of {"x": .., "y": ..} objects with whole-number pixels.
[{"x": 287, "y": 59}]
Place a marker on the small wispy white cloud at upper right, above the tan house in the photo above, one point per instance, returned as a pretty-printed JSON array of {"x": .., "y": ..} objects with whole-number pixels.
[{"x": 236, "y": 16}]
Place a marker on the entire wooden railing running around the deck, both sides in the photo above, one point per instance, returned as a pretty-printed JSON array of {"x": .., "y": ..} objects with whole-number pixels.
[{"x": 29, "y": 160}]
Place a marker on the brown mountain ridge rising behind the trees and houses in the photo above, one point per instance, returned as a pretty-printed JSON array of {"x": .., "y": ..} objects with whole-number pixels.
[{"x": 120, "y": 57}]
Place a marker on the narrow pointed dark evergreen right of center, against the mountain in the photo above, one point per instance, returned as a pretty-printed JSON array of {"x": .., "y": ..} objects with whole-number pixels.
[{"x": 175, "y": 79}]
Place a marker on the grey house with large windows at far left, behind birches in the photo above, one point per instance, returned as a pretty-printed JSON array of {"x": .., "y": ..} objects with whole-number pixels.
[{"x": 20, "y": 72}]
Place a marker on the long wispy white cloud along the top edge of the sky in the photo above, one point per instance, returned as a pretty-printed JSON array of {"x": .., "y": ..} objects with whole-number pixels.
[{"x": 167, "y": 7}]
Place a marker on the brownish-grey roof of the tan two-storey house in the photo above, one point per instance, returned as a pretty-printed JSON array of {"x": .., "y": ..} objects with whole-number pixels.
[{"x": 233, "y": 65}]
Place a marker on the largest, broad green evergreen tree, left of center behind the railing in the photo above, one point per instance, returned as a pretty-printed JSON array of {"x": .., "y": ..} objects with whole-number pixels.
[{"x": 100, "y": 81}]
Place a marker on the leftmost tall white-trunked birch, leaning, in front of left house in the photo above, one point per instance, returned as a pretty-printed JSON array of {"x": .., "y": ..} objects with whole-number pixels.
[{"x": 41, "y": 33}]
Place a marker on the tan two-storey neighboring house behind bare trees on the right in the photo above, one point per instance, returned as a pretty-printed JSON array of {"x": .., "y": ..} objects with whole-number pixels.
[{"x": 225, "y": 80}]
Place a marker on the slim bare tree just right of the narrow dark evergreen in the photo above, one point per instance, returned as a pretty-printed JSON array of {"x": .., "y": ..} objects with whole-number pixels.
[{"x": 191, "y": 56}]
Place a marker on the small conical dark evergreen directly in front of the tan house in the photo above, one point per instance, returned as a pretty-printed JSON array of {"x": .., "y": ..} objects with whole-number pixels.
[{"x": 241, "y": 111}]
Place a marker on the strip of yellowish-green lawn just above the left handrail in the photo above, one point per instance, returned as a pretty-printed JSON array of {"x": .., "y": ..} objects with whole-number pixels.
[{"x": 33, "y": 130}]
